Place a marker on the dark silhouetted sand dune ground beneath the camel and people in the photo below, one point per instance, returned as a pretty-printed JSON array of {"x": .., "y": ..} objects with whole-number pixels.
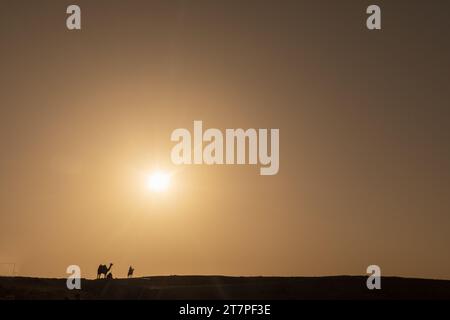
[{"x": 221, "y": 287}]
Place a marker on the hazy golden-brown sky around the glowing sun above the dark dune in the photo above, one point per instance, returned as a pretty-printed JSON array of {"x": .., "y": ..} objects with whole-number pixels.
[{"x": 364, "y": 125}]
